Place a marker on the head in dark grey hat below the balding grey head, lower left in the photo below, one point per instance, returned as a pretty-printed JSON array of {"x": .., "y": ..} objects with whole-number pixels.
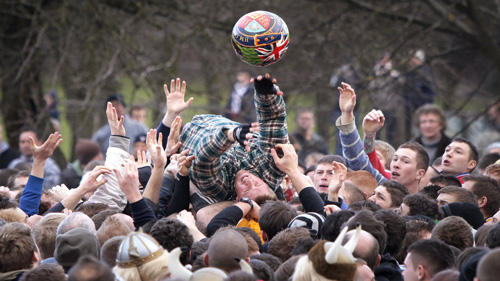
[{"x": 73, "y": 244}]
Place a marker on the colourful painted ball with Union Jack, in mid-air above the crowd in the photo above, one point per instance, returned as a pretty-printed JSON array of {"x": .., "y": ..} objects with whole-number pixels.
[{"x": 260, "y": 38}]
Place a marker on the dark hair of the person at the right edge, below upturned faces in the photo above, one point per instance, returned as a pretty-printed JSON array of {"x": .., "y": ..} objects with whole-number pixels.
[{"x": 485, "y": 186}]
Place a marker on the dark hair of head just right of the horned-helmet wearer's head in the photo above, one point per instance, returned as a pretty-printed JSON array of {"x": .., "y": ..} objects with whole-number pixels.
[{"x": 395, "y": 227}]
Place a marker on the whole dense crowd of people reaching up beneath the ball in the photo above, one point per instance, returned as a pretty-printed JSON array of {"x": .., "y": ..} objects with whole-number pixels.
[{"x": 216, "y": 199}]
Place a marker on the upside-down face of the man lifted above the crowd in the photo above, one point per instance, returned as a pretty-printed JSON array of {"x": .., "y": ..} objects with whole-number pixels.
[{"x": 249, "y": 185}]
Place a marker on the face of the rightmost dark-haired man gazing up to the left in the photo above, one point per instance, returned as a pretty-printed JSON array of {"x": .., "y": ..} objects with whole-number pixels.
[{"x": 456, "y": 159}]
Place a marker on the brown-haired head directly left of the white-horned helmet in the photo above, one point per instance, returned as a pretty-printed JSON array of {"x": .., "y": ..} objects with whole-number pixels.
[{"x": 282, "y": 244}]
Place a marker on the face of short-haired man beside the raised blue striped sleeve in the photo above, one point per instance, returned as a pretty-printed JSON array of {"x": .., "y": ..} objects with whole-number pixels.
[{"x": 404, "y": 167}]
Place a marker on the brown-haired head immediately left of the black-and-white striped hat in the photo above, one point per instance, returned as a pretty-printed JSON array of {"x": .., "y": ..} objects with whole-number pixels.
[{"x": 275, "y": 216}]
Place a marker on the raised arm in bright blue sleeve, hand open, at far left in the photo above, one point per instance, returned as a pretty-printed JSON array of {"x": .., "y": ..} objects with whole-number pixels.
[{"x": 30, "y": 199}]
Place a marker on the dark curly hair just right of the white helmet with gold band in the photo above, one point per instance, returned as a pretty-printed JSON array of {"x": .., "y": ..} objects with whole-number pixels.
[{"x": 172, "y": 233}]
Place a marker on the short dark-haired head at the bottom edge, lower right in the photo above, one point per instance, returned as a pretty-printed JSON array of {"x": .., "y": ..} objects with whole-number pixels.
[{"x": 433, "y": 254}]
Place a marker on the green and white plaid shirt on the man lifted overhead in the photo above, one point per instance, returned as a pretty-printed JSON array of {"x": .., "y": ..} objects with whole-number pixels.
[{"x": 217, "y": 159}]
